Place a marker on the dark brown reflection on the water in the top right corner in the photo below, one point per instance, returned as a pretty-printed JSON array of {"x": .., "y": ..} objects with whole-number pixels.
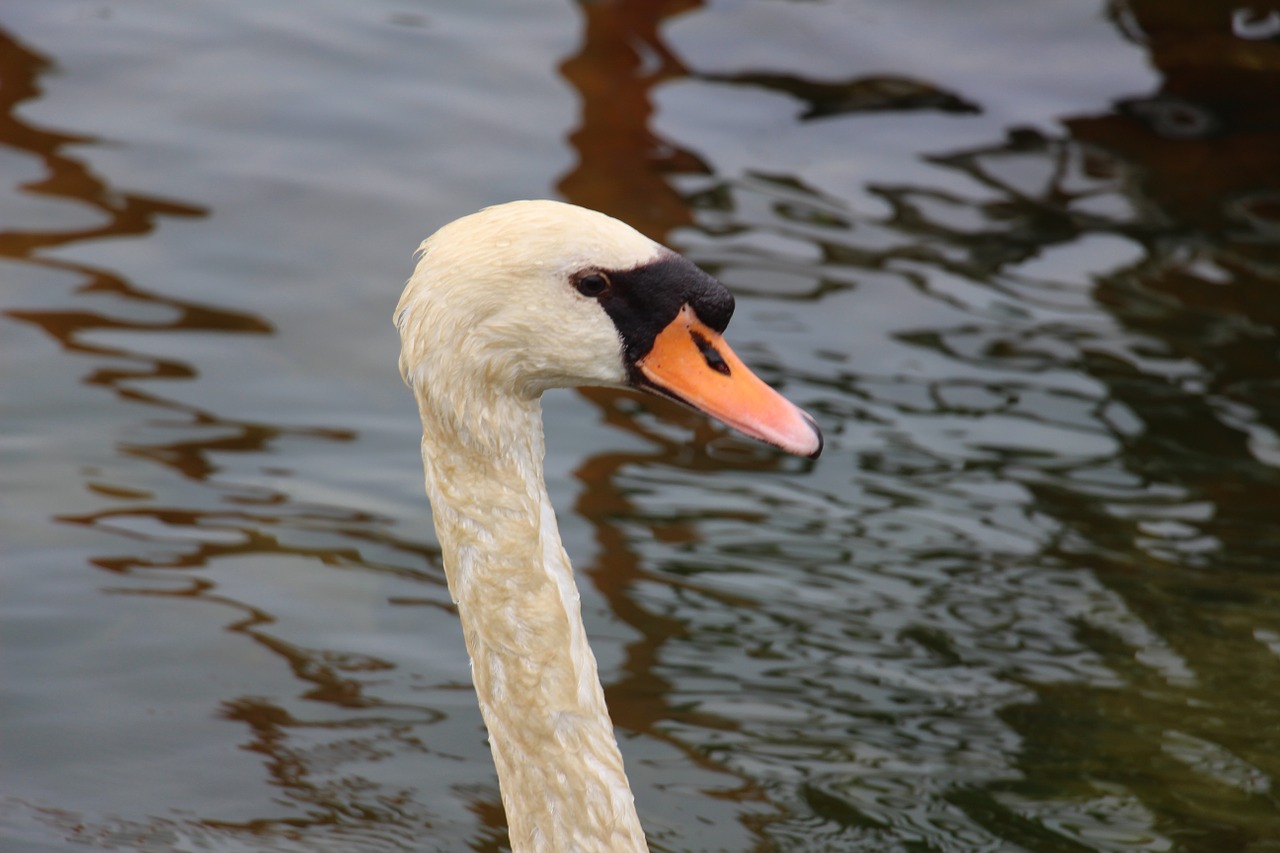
[{"x": 1206, "y": 139}]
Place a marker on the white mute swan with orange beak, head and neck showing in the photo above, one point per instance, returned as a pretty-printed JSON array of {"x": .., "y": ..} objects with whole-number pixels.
[{"x": 504, "y": 305}]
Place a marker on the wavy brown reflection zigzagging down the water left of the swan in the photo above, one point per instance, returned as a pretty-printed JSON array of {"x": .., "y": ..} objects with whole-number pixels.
[{"x": 264, "y": 522}]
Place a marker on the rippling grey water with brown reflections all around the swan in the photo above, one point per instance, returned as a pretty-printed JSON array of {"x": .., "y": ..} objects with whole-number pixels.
[{"x": 1022, "y": 263}]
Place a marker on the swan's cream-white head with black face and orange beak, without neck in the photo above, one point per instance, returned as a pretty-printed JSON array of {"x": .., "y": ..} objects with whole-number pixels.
[{"x": 534, "y": 295}]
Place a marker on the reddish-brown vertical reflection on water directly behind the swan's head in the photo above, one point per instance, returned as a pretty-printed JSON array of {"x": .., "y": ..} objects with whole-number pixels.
[{"x": 627, "y": 171}]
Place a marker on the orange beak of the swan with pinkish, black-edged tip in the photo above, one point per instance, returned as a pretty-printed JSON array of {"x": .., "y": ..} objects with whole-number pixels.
[{"x": 691, "y": 363}]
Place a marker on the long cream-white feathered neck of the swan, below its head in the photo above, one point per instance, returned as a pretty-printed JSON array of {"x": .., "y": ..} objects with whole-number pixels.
[{"x": 560, "y": 770}]
